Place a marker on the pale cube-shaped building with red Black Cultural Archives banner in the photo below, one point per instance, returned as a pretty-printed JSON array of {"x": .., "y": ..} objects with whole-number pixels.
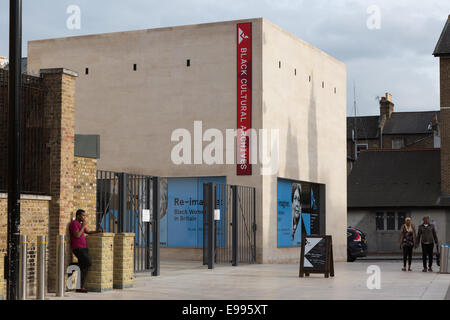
[{"x": 137, "y": 88}]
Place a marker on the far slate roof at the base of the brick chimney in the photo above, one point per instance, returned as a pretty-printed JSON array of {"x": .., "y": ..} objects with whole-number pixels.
[{"x": 399, "y": 123}]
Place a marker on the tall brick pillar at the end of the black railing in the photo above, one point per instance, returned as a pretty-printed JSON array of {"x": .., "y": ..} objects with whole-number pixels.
[{"x": 59, "y": 106}]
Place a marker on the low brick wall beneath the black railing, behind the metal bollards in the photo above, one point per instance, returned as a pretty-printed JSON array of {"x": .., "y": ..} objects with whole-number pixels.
[{"x": 34, "y": 216}]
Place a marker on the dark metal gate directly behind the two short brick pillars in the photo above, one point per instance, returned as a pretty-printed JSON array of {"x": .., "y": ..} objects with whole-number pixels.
[{"x": 121, "y": 201}]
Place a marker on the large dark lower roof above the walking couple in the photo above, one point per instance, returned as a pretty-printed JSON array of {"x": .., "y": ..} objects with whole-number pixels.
[{"x": 403, "y": 178}]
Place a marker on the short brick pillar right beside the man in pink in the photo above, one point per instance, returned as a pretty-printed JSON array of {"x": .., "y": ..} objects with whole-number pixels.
[{"x": 100, "y": 274}]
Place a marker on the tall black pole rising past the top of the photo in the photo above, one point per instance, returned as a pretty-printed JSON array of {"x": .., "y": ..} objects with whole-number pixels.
[{"x": 14, "y": 174}]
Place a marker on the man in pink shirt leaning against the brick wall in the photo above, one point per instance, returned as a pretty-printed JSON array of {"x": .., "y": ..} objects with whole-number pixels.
[{"x": 79, "y": 247}]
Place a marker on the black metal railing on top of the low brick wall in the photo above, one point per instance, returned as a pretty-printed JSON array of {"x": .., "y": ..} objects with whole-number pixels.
[{"x": 33, "y": 139}]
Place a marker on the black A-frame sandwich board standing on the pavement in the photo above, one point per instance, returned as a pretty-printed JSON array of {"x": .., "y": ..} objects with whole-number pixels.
[{"x": 316, "y": 255}]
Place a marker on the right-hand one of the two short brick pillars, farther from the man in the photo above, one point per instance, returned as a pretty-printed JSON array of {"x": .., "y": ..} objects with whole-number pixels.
[{"x": 123, "y": 260}]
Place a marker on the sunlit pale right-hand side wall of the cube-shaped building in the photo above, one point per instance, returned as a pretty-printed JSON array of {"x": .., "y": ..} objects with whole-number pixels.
[{"x": 312, "y": 124}]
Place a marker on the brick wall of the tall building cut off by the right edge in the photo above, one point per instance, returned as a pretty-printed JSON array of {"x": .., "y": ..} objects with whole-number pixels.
[{"x": 445, "y": 123}]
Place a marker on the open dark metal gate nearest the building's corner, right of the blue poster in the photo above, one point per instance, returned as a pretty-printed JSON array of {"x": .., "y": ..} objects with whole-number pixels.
[{"x": 232, "y": 237}]
